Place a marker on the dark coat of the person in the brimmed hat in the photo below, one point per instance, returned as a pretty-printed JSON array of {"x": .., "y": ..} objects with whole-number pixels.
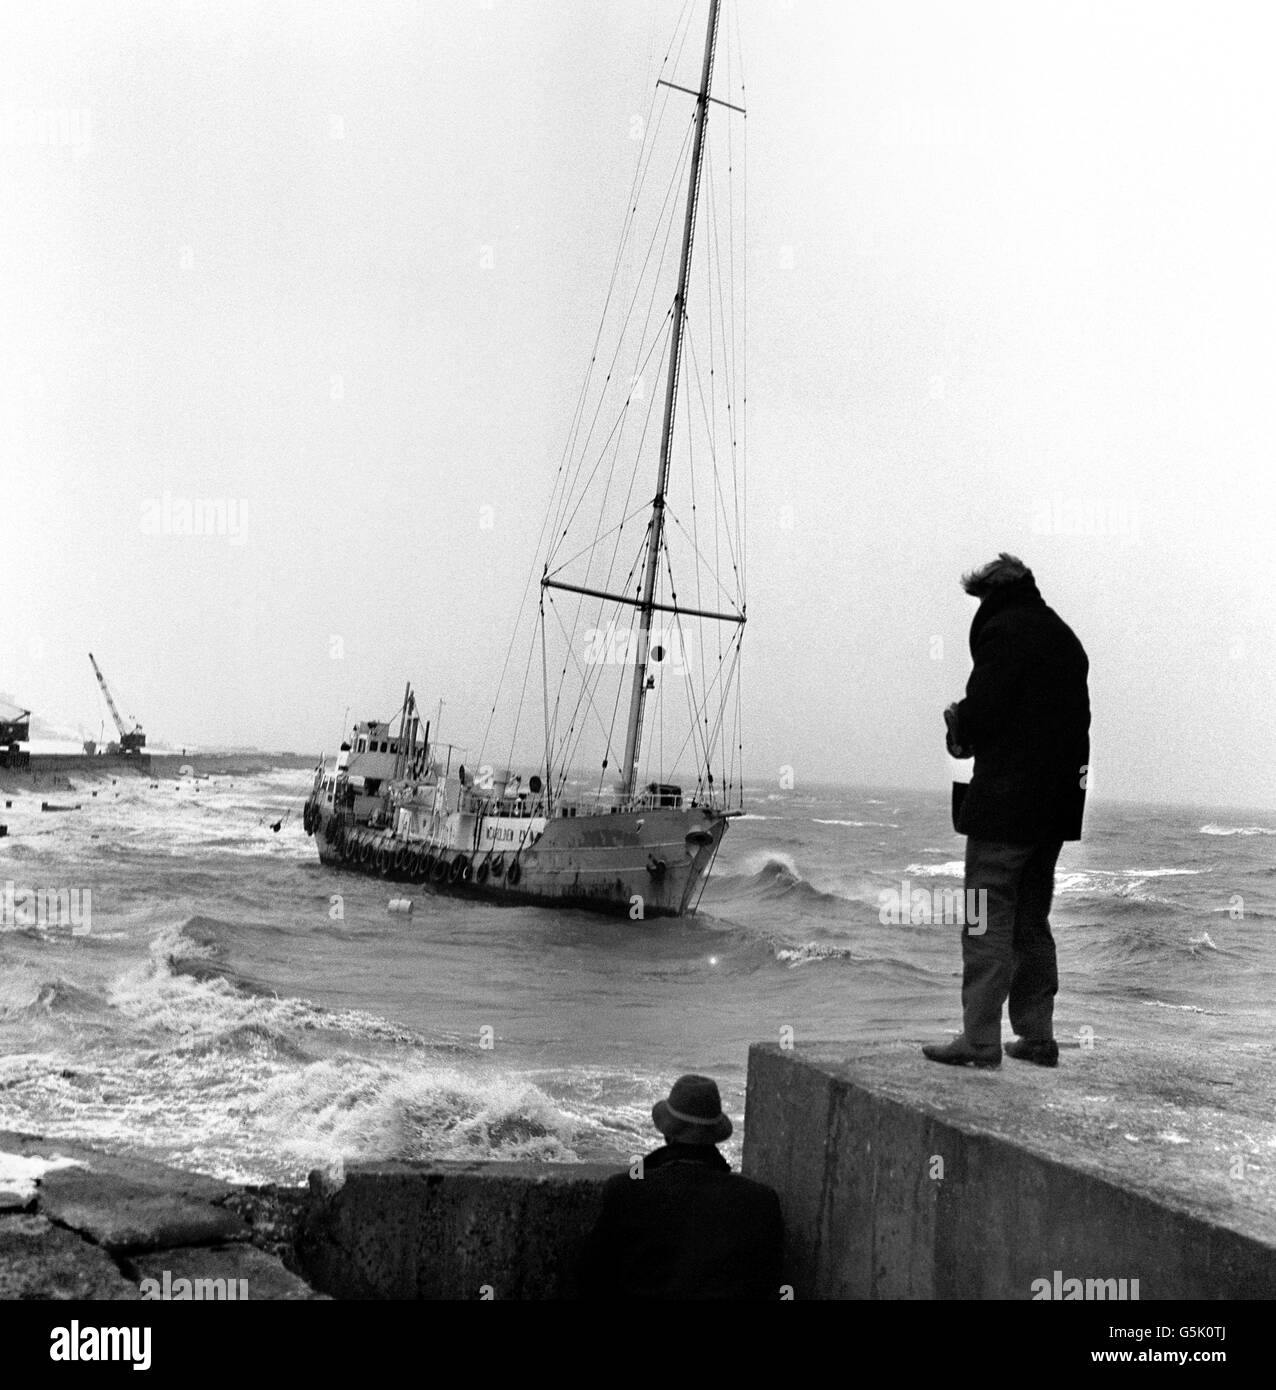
[{"x": 689, "y": 1228}]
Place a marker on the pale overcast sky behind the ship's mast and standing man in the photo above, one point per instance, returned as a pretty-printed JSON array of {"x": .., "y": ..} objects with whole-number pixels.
[{"x": 1011, "y": 287}]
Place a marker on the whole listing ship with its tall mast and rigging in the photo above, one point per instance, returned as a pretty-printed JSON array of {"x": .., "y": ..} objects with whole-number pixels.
[{"x": 640, "y": 839}]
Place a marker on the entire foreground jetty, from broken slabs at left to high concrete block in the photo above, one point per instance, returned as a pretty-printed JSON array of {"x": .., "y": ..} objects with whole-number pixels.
[{"x": 1128, "y": 1172}]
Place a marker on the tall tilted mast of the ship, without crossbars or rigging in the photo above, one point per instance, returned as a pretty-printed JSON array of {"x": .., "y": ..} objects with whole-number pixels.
[{"x": 647, "y": 605}]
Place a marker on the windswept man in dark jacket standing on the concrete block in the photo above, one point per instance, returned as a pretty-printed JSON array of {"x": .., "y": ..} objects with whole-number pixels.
[{"x": 1026, "y": 722}]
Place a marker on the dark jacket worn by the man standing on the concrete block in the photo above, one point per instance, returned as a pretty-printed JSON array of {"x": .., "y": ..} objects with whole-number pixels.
[{"x": 1026, "y": 717}]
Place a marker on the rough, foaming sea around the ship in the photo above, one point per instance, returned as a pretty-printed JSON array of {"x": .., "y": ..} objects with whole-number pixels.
[{"x": 233, "y": 1007}]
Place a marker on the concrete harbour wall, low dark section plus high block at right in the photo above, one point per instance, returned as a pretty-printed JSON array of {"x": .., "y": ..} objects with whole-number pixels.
[{"x": 899, "y": 1179}]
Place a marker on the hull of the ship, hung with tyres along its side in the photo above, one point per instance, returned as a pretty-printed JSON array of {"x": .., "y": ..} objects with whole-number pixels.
[{"x": 641, "y": 864}]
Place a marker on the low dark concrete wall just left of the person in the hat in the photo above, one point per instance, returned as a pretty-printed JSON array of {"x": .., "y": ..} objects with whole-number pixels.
[{"x": 451, "y": 1231}]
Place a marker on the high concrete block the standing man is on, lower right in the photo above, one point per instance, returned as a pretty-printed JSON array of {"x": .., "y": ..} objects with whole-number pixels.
[{"x": 904, "y": 1179}]
